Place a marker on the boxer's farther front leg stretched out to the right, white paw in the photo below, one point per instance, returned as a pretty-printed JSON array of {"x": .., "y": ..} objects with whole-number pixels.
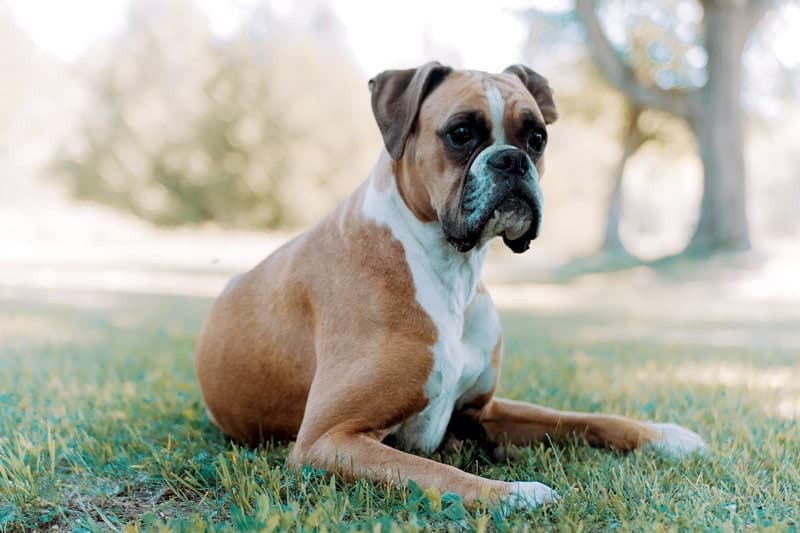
[{"x": 508, "y": 421}]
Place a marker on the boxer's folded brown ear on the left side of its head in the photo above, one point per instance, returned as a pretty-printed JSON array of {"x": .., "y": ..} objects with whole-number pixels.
[{"x": 396, "y": 98}]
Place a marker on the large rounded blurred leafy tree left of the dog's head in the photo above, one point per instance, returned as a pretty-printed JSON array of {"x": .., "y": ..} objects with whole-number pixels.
[{"x": 188, "y": 127}]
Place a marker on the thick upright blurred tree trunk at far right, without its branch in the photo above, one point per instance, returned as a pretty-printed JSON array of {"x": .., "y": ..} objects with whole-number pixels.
[{"x": 716, "y": 121}]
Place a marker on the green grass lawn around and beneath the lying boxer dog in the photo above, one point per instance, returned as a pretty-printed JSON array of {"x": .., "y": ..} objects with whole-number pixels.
[{"x": 102, "y": 427}]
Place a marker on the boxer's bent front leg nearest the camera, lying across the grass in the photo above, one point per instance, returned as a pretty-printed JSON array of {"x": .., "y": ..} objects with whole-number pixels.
[{"x": 362, "y": 455}]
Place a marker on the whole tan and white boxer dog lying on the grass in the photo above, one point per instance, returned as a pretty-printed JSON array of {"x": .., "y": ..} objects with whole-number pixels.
[{"x": 374, "y": 323}]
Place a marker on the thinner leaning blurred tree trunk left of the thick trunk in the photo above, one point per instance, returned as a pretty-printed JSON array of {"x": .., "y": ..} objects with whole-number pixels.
[{"x": 631, "y": 141}]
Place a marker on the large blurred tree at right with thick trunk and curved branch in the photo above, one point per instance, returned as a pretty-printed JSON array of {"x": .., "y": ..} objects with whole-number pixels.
[{"x": 710, "y": 104}]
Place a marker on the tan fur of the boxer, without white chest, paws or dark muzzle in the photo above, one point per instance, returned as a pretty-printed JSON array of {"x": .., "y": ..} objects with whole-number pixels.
[{"x": 324, "y": 341}]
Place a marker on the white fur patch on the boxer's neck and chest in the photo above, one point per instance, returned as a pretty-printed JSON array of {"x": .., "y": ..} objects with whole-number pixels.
[{"x": 466, "y": 322}]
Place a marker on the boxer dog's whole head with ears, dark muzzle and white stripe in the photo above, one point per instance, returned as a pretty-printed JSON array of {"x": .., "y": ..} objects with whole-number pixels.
[{"x": 468, "y": 148}]
